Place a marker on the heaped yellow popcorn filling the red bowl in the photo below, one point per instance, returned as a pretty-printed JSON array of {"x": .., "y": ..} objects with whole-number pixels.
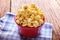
[{"x": 30, "y": 16}]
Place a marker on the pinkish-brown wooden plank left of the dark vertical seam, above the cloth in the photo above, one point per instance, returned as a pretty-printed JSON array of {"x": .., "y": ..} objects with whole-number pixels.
[{"x": 4, "y": 7}]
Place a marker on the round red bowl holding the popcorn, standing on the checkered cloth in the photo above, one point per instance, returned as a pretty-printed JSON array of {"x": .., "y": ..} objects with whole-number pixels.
[{"x": 27, "y": 31}]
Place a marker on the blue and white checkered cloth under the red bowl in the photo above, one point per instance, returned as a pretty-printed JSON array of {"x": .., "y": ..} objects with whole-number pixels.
[{"x": 9, "y": 30}]
